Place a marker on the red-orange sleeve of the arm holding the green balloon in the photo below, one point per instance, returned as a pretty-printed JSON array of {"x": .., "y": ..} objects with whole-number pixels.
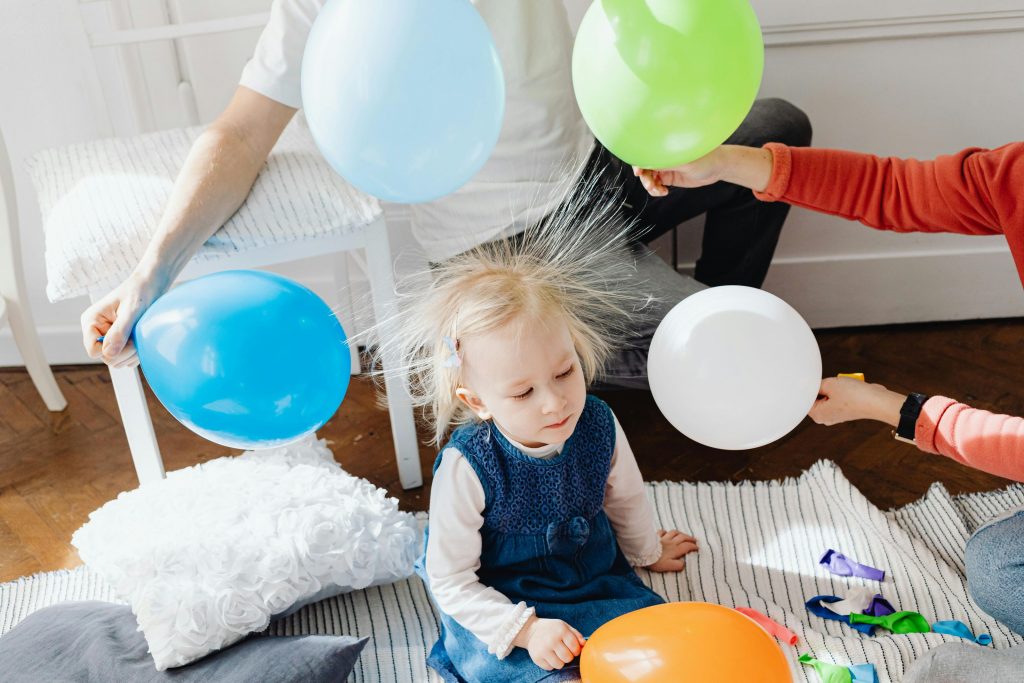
[{"x": 974, "y": 192}]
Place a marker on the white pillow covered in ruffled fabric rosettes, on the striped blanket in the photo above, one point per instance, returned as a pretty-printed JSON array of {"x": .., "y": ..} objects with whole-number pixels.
[{"x": 210, "y": 553}]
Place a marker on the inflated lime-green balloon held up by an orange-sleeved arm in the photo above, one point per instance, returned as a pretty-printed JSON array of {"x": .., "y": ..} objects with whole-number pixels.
[{"x": 664, "y": 82}]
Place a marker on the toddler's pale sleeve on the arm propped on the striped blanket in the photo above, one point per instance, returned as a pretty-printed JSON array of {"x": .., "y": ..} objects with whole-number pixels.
[{"x": 628, "y": 507}]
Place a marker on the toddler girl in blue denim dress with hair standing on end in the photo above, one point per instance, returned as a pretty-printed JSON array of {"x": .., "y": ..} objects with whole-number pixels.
[{"x": 538, "y": 510}]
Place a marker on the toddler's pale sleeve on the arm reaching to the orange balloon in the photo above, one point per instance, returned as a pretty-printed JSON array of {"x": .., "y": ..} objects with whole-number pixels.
[{"x": 454, "y": 547}]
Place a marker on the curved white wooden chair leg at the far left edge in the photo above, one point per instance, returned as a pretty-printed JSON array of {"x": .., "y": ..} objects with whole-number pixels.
[{"x": 14, "y": 302}]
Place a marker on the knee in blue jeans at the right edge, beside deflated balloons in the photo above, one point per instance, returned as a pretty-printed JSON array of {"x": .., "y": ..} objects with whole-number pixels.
[{"x": 995, "y": 561}]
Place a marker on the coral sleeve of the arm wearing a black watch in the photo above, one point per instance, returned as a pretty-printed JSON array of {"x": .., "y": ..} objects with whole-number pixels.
[{"x": 977, "y": 439}]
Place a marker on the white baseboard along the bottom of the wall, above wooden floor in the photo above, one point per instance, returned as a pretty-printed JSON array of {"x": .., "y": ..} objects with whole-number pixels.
[{"x": 829, "y": 292}]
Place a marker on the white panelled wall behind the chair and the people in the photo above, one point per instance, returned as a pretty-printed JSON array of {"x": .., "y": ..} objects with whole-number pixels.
[{"x": 916, "y": 78}]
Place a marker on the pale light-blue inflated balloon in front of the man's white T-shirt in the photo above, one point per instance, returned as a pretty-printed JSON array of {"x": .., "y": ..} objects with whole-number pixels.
[{"x": 405, "y": 99}]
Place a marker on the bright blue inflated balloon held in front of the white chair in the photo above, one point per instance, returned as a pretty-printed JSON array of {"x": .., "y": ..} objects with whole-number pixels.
[{"x": 245, "y": 359}]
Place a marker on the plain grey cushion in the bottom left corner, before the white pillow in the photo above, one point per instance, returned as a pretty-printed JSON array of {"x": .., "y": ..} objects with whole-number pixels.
[{"x": 100, "y": 642}]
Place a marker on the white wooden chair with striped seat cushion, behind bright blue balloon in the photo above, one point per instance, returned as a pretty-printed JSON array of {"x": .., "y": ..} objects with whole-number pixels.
[{"x": 101, "y": 201}]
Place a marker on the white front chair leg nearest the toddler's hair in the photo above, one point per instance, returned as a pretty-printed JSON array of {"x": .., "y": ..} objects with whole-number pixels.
[{"x": 407, "y": 448}]
